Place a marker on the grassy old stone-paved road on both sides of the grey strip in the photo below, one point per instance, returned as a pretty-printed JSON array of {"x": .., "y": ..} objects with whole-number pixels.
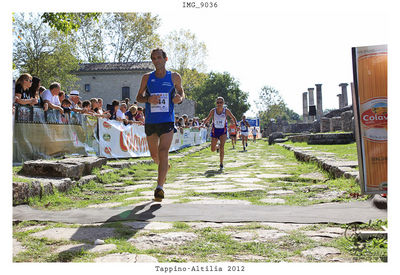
[{"x": 263, "y": 175}]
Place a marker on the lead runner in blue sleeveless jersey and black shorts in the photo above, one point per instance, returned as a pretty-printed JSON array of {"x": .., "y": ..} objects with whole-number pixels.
[{"x": 160, "y": 90}]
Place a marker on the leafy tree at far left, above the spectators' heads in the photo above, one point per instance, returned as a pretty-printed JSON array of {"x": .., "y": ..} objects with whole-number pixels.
[{"x": 44, "y": 52}]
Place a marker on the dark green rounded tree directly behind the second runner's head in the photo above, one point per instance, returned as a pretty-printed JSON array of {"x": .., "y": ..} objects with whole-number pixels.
[{"x": 220, "y": 84}]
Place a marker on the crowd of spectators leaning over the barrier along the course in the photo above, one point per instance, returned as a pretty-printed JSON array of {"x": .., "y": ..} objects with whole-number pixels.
[{"x": 28, "y": 91}]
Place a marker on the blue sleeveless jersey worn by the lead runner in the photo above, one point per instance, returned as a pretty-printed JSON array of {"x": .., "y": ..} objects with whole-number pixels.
[{"x": 164, "y": 110}]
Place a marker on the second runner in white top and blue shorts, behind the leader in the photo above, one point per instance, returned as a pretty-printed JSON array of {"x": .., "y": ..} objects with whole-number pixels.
[{"x": 219, "y": 127}]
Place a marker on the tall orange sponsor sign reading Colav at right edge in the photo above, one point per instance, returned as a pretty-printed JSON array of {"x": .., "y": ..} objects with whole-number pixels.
[{"x": 369, "y": 92}]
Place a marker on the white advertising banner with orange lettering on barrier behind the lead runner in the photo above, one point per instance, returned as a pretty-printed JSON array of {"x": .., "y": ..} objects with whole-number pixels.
[{"x": 124, "y": 141}]
